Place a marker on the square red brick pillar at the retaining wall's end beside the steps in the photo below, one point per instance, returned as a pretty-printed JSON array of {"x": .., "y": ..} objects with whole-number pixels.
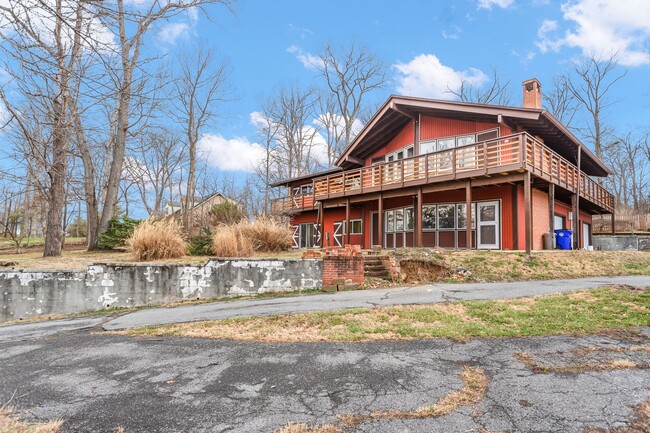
[{"x": 343, "y": 267}]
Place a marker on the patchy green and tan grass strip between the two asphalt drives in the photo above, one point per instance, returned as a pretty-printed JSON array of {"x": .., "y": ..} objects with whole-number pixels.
[{"x": 583, "y": 312}]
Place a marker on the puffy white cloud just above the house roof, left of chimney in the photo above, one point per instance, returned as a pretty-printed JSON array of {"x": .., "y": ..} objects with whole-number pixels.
[{"x": 426, "y": 76}]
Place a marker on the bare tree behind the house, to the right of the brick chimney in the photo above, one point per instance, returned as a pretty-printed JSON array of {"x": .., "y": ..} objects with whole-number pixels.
[{"x": 591, "y": 85}]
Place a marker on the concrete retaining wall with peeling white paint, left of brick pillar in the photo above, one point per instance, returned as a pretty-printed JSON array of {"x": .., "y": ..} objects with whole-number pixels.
[{"x": 29, "y": 293}]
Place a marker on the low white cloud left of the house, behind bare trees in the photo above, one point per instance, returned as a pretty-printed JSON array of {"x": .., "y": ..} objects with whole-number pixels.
[{"x": 234, "y": 154}]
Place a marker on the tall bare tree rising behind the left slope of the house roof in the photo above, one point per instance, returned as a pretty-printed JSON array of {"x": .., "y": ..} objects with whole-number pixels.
[{"x": 350, "y": 73}]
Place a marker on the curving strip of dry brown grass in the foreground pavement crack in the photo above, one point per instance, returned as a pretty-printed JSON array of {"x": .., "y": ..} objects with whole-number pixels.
[{"x": 474, "y": 385}]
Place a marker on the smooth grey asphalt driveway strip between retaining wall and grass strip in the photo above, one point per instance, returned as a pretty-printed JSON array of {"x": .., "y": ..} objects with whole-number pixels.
[{"x": 363, "y": 298}]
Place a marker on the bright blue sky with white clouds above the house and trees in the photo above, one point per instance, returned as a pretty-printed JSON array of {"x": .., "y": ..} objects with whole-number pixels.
[{"x": 428, "y": 46}]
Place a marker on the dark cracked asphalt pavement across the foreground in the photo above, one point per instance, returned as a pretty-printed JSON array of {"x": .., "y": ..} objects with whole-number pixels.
[{"x": 98, "y": 382}]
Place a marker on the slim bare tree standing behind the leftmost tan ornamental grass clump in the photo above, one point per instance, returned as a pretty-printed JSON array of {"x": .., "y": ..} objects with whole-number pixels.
[{"x": 199, "y": 87}]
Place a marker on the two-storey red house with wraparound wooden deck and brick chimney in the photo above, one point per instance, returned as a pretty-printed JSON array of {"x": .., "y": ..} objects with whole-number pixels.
[{"x": 421, "y": 168}]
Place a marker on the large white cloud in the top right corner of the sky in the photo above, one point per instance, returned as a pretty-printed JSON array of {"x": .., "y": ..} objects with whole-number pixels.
[{"x": 602, "y": 28}]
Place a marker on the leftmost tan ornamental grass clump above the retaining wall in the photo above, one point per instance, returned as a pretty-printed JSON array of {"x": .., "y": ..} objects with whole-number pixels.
[{"x": 153, "y": 240}]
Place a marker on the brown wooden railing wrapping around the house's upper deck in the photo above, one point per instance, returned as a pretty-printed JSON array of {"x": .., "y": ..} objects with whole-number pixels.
[{"x": 500, "y": 155}]
